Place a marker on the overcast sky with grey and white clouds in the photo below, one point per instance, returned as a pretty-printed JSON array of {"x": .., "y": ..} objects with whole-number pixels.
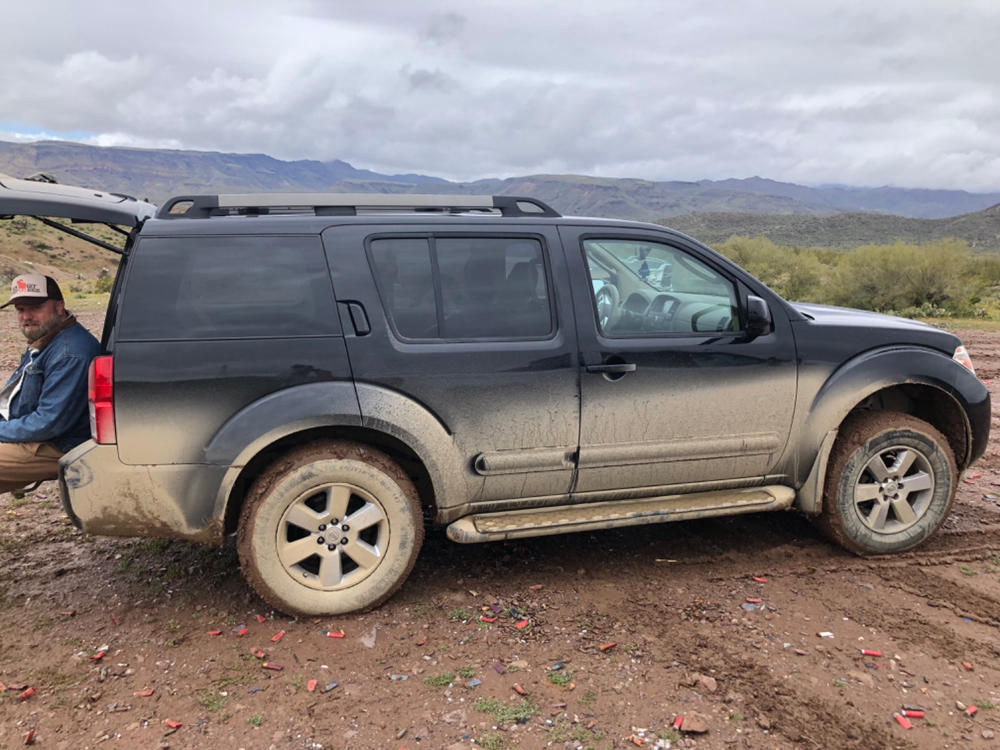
[{"x": 893, "y": 92}]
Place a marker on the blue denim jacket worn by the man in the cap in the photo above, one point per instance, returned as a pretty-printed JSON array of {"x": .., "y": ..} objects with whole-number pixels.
[{"x": 51, "y": 405}]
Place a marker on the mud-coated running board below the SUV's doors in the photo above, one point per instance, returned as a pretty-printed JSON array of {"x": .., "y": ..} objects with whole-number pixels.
[{"x": 562, "y": 519}]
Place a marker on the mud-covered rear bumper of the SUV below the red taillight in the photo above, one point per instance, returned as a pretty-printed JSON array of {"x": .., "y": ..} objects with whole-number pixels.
[{"x": 104, "y": 496}]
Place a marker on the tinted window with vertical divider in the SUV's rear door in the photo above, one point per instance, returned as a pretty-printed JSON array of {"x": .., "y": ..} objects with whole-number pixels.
[{"x": 463, "y": 287}]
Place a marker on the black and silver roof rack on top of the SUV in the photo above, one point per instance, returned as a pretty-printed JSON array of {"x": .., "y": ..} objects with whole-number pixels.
[{"x": 347, "y": 204}]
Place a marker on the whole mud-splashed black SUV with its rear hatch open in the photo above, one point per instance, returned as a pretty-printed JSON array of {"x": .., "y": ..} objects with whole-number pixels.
[{"x": 320, "y": 373}]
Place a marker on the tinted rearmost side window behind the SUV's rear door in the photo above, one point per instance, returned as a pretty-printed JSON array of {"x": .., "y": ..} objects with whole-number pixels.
[{"x": 227, "y": 287}]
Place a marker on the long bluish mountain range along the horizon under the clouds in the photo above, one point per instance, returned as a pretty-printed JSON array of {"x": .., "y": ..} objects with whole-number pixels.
[{"x": 160, "y": 173}]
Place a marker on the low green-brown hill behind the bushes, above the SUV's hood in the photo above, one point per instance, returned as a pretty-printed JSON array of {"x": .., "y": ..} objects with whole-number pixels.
[{"x": 980, "y": 229}]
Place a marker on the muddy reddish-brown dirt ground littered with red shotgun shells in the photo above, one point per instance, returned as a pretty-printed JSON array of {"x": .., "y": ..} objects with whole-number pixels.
[{"x": 751, "y": 628}]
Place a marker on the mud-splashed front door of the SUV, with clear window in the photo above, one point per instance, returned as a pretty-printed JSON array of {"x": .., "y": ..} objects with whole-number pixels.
[{"x": 674, "y": 393}]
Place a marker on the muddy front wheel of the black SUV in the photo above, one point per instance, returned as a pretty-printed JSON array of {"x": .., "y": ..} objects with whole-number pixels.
[{"x": 890, "y": 483}]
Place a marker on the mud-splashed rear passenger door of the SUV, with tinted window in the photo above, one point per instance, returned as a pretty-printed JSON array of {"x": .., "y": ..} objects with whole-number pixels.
[{"x": 472, "y": 322}]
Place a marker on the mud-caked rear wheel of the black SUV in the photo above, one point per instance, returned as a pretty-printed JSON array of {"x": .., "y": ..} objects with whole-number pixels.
[{"x": 284, "y": 541}]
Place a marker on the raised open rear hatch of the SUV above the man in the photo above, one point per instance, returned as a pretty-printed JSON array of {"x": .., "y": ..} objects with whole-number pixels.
[{"x": 46, "y": 200}]
